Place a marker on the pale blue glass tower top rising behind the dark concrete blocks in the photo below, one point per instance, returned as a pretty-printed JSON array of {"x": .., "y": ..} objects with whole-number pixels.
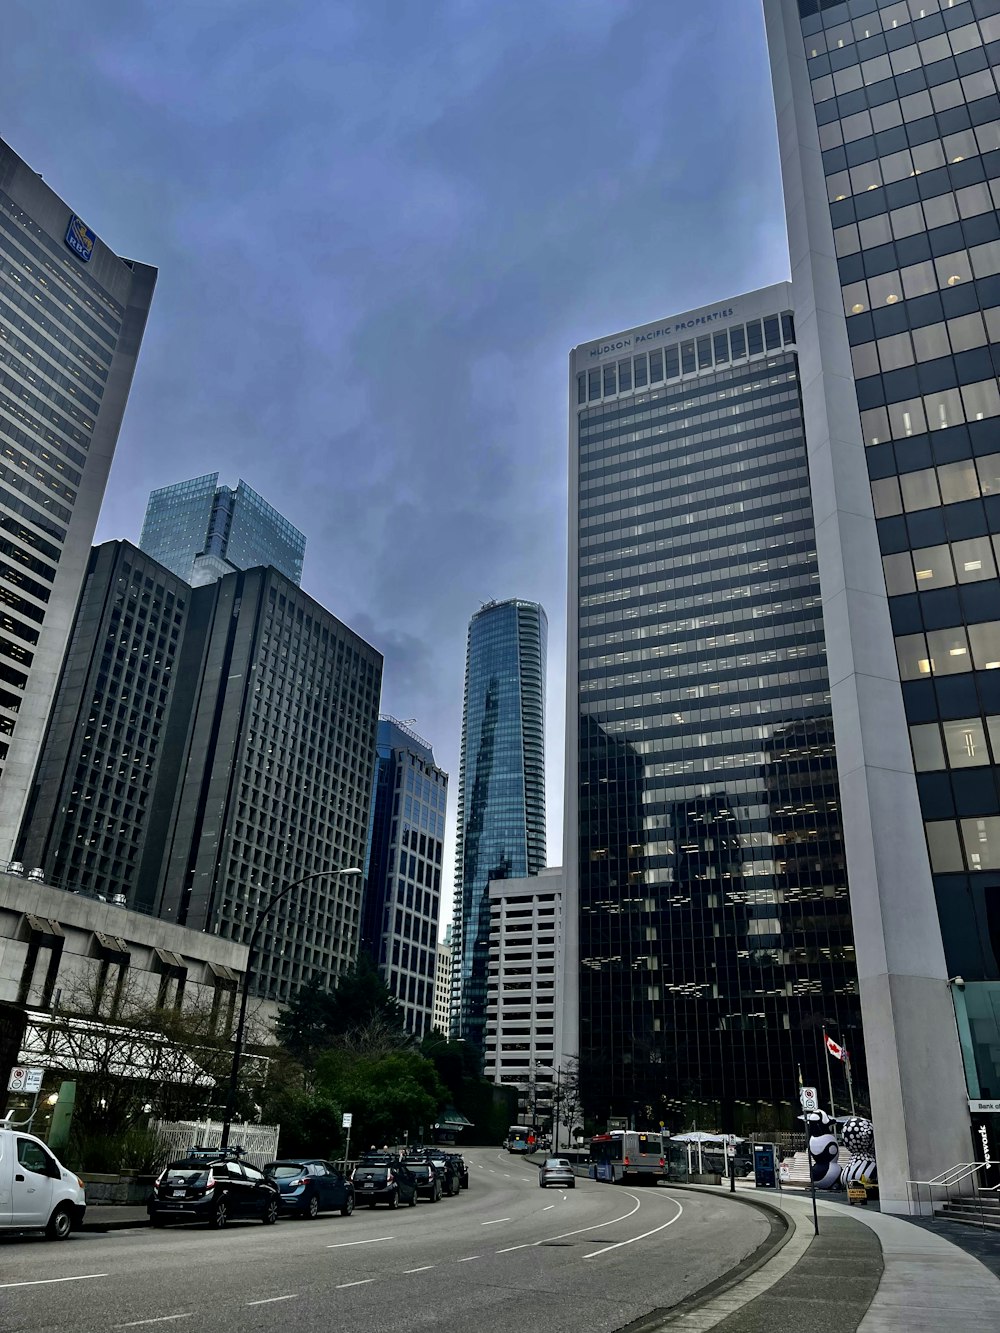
[{"x": 202, "y": 531}]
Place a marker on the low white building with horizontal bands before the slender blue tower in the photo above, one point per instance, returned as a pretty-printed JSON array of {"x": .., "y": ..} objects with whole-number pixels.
[{"x": 525, "y": 990}]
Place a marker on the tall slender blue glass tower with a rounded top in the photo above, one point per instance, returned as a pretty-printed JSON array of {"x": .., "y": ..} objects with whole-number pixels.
[{"x": 502, "y": 786}]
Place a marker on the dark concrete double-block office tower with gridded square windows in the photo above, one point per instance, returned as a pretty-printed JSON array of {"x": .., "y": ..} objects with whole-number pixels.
[{"x": 210, "y": 747}]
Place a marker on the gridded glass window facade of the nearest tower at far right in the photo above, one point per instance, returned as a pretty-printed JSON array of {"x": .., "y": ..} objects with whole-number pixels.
[{"x": 909, "y": 117}]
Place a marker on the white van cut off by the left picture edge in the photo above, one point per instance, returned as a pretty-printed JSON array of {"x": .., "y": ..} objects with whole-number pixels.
[{"x": 37, "y": 1192}]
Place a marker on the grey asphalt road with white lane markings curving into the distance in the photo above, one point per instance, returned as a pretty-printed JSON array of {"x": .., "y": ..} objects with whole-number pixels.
[{"x": 505, "y": 1252}]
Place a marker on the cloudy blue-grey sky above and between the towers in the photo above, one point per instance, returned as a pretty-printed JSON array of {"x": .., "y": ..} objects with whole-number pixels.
[{"x": 381, "y": 226}]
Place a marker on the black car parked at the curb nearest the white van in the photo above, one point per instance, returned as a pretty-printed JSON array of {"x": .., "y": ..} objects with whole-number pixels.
[{"x": 213, "y": 1186}]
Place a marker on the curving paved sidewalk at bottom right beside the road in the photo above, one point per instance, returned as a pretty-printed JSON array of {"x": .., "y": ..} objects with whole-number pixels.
[{"x": 866, "y": 1271}]
